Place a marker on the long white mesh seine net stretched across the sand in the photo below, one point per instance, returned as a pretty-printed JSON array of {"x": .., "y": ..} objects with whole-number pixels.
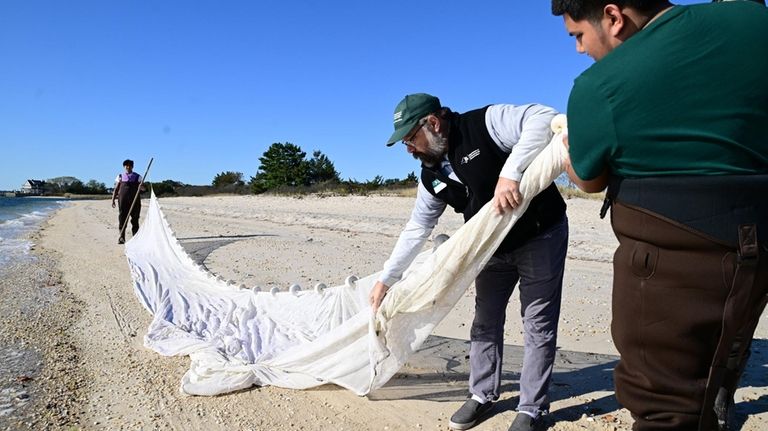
[{"x": 238, "y": 337}]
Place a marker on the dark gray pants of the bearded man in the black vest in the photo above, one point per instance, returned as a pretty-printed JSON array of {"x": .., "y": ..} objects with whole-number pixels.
[{"x": 538, "y": 265}]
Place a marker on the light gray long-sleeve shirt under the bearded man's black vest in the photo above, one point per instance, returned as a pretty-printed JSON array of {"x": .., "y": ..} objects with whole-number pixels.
[{"x": 521, "y": 131}]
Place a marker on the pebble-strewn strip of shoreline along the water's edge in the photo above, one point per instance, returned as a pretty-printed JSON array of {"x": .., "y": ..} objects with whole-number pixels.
[{"x": 44, "y": 385}]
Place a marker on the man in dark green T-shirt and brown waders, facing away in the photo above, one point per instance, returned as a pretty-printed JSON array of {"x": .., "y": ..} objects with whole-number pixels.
[{"x": 671, "y": 119}]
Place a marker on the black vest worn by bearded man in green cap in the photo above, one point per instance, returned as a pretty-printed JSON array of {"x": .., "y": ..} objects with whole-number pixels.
[{"x": 477, "y": 161}]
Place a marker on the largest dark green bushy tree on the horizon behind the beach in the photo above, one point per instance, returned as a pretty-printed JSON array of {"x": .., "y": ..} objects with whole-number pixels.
[{"x": 281, "y": 165}]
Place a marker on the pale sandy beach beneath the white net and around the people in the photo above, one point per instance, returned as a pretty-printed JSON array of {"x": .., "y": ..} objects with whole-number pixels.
[{"x": 95, "y": 373}]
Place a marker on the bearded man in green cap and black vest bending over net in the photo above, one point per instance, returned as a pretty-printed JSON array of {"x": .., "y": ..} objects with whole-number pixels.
[{"x": 468, "y": 160}]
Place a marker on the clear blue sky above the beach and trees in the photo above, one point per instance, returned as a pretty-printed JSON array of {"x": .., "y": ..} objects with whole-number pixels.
[{"x": 207, "y": 86}]
